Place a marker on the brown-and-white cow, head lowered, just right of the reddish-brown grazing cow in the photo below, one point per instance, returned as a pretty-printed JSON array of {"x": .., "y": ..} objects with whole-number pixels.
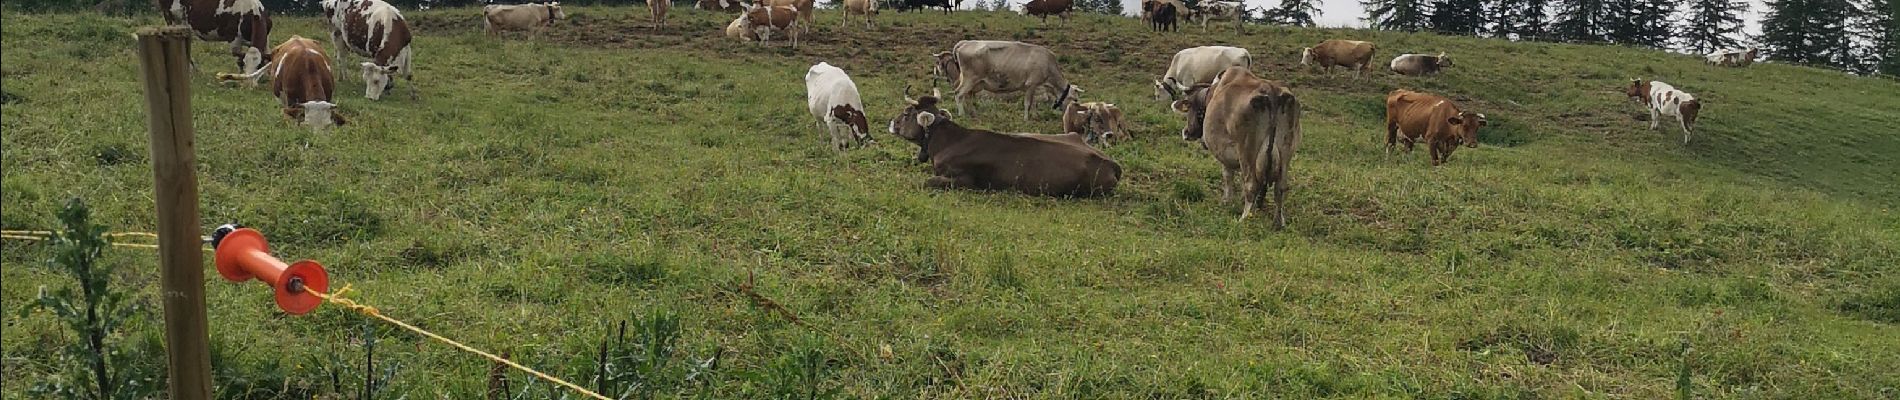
[{"x": 377, "y": 31}]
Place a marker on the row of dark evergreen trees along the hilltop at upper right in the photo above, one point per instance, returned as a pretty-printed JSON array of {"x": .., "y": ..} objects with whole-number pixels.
[{"x": 1850, "y": 35}]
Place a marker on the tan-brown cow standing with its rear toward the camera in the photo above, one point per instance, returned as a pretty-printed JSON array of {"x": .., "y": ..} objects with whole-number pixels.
[{"x": 1253, "y": 130}]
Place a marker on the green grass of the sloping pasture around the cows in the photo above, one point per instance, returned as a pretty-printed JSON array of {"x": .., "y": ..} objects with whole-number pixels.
[{"x": 542, "y": 191}]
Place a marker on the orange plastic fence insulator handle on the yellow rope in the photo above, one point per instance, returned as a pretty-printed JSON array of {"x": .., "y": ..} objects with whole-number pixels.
[{"x": 242, "y": 255}]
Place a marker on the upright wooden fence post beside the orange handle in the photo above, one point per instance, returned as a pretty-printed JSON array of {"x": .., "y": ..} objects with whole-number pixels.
[{"x": 181, "y": 261}]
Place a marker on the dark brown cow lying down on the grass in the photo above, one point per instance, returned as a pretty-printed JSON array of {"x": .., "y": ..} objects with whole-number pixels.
[{"x": 983, "y": 160}]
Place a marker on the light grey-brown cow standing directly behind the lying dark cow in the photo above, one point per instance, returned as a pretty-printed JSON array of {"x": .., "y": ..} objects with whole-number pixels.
[{"x": 1004, "y": 67}]
